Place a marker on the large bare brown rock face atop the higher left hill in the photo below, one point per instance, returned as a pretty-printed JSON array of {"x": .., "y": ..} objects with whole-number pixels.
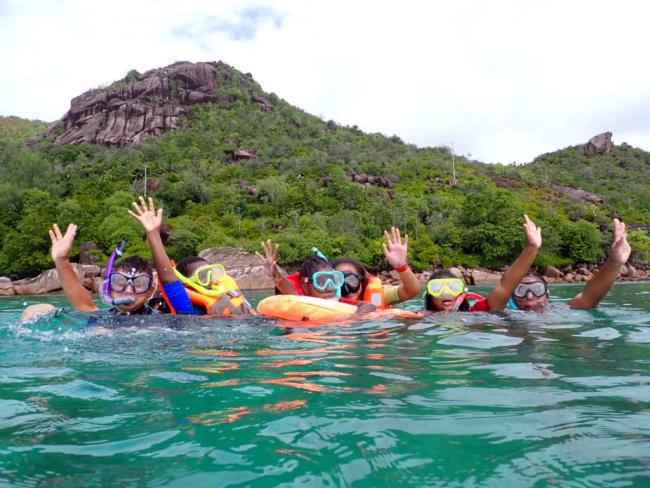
[{"x": 146, "y": 105}]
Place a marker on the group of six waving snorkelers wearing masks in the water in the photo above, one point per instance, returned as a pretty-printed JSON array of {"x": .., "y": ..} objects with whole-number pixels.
[{"x": 196, "y": 287}]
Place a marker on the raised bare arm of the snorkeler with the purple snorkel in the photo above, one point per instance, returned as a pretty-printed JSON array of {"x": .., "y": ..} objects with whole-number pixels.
[{"x": 77, "y": 295}]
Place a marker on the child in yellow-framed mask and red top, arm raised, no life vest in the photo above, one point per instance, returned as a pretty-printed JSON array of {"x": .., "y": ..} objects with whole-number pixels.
[{"x": 446, "y": 292}]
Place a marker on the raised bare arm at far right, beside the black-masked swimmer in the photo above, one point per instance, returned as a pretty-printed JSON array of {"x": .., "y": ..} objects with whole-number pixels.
[{"x": 598, "y": 286}]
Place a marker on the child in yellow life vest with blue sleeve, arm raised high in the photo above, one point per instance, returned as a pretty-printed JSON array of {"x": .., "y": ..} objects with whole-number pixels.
[{"x": 206, "y": 283}]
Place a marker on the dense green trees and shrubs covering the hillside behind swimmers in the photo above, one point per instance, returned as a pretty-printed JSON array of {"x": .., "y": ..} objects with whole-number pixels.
[{"x": 304, "y": 196}]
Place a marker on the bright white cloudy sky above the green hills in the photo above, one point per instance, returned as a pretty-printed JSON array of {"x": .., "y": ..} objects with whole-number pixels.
[{"x": 503, "y": 81}]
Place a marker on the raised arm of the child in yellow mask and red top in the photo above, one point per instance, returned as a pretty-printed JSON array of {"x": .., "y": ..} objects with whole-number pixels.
[{"x": 498, "y": 298}]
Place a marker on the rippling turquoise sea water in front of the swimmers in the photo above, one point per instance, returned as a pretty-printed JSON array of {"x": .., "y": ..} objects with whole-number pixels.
[{"x": 561, "y": 398}]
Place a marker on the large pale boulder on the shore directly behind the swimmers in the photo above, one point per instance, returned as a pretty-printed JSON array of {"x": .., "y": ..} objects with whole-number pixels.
[{"x": 246, "y": 268}]
